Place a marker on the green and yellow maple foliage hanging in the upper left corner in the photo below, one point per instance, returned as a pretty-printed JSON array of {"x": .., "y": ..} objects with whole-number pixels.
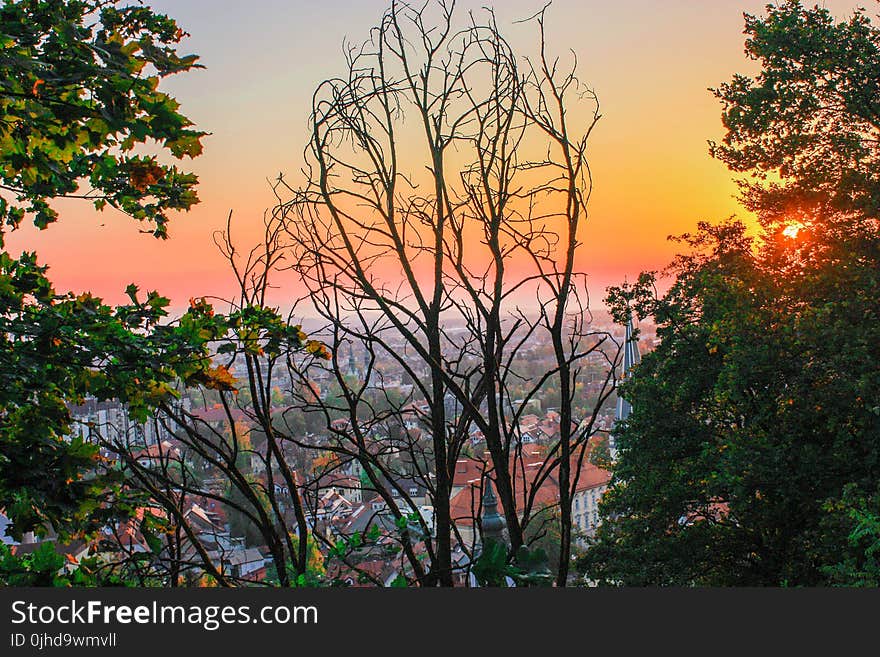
[{"x": 78, "y": 92}]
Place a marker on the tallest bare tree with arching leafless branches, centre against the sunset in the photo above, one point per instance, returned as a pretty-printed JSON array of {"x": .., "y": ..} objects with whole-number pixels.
[{"x": 423, "y": 233}]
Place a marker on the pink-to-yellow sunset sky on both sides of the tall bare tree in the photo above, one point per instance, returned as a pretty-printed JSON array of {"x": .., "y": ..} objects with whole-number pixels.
[{"x": 650, "y": 63}]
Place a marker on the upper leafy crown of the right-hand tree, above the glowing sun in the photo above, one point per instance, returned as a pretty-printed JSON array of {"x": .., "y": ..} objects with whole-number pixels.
[{"x": 810, "y": 118}]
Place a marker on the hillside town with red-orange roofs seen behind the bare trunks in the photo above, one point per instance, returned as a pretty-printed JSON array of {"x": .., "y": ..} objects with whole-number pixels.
[{"x": 354, "y": 526}]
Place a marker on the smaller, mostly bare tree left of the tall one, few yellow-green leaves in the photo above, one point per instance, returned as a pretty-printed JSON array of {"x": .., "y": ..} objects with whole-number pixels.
[{"x": 237, "y": 457}]
